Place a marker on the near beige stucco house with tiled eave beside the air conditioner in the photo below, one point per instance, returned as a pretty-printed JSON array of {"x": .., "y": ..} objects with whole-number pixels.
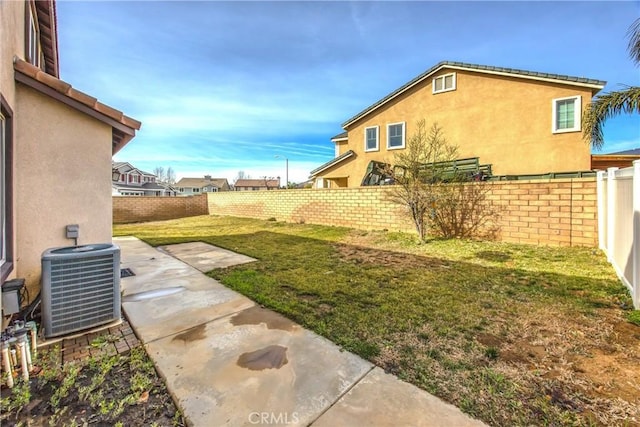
[{"x": 51, "y": 135}]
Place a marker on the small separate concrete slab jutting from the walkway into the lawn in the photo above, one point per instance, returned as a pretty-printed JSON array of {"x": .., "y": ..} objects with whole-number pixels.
[{"x": 205, "y": 257}]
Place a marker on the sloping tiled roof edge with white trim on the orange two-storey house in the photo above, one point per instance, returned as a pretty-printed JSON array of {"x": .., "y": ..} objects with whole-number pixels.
[{"x": 595, "y": 85}]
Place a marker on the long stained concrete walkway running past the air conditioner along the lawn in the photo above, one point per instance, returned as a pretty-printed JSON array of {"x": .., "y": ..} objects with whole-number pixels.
[{"x": 229, "y": 362}]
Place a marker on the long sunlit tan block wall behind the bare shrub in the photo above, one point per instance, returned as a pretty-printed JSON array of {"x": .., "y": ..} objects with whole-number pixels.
[{"x": 561, "y": 212}]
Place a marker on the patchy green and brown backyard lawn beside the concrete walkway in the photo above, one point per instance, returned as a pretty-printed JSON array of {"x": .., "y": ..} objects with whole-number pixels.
[{"x": 511, "y": 334}]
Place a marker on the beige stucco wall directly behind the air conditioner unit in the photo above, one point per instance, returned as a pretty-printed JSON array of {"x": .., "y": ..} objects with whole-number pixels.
[{"x": 64, "y": 177}]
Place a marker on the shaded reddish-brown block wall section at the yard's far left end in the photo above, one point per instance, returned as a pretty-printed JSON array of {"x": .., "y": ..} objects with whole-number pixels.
[{"x": 128, "y": 209}]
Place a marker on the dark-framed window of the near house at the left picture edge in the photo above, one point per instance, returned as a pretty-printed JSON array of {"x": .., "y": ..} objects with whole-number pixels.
[{"x": 6, "y": 203}]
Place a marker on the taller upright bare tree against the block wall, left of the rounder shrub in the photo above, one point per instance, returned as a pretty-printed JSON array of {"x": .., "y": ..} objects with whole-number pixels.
[{"x": 416, "y": 182}]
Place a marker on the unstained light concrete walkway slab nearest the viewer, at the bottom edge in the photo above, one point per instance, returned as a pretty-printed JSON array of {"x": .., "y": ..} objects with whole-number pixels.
[{"x": 380, "y": 399}]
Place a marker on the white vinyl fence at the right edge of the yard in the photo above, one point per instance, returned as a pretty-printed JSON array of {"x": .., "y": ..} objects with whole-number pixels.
[{"x": 619, "y": 223}]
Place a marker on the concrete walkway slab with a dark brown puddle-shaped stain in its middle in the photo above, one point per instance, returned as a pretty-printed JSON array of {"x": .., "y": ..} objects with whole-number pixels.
[{"x": 254, "y": 366}]
